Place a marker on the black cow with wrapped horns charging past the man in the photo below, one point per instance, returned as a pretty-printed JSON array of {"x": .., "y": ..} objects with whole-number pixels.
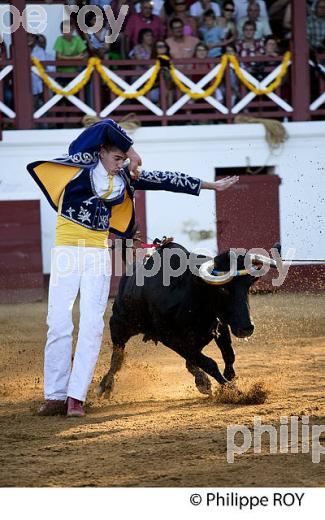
[{"x": 184, "y": 315}]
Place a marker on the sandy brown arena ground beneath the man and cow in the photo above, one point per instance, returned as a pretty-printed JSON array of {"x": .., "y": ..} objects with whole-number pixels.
[{"x": 157, "y": 430}]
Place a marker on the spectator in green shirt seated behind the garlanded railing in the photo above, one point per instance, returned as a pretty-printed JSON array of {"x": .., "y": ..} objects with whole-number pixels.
[{"x": 68, "y": 46}]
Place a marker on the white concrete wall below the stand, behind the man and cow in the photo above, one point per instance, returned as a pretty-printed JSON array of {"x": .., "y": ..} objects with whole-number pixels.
[{"x": 196, "y": 150}]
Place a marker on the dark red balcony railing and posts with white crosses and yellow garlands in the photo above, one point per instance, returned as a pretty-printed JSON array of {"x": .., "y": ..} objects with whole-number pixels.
[{"x": 90, "y": 94}]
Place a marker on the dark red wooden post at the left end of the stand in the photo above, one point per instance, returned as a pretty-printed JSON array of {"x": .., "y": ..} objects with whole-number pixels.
[{"x": 23, "y": 97}]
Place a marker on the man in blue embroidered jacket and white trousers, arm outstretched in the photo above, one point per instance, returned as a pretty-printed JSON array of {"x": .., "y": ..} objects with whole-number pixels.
[{"x": 92, "y": 190}]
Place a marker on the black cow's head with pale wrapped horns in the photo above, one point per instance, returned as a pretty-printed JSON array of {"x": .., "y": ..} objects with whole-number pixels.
[{"x": 233, "y": 280}]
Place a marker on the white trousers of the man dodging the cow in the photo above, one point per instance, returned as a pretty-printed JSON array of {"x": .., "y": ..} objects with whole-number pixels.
[{"x": 86, "y": 269}]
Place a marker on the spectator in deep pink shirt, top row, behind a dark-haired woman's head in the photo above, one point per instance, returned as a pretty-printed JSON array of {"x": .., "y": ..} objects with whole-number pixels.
[{"x": 143, "y": 20}]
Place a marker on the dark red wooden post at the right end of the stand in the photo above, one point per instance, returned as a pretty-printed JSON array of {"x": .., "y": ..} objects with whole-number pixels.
[{"x": 300, "y": 66}]
